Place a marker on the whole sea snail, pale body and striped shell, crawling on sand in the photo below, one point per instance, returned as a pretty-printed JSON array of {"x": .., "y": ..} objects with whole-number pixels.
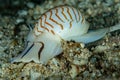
[{"x": 60, "y": 23}]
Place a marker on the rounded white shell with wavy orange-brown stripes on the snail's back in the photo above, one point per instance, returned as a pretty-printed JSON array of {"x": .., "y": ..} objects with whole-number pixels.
[{"x": 63, "y": 21}]
